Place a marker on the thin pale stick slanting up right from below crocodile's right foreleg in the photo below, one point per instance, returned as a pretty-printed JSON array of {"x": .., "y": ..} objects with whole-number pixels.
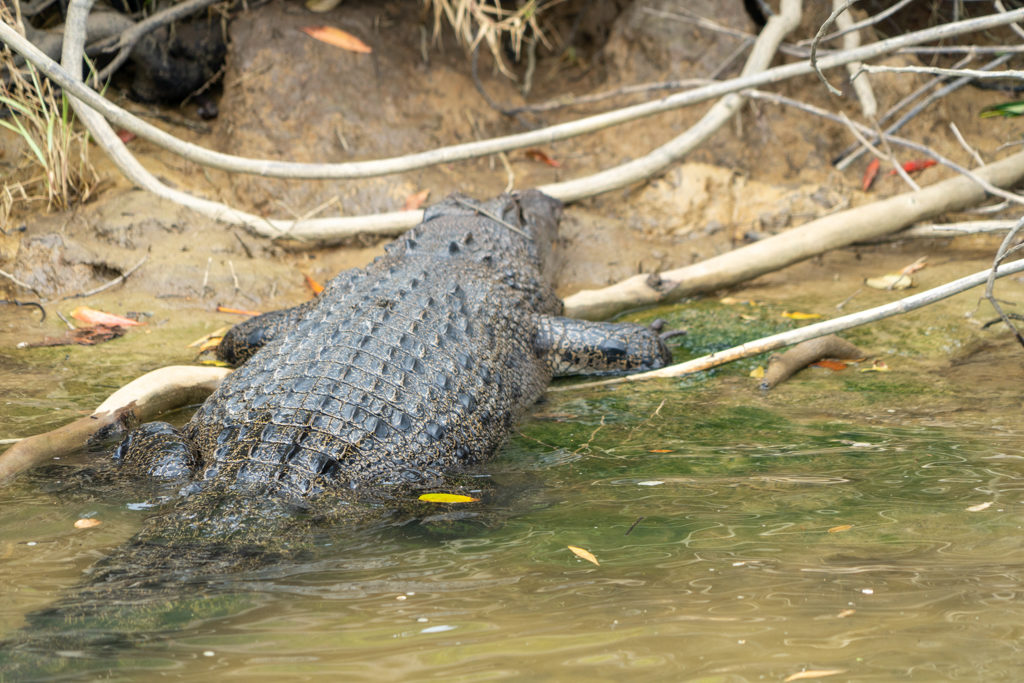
[{"x": 812, "y": 331}]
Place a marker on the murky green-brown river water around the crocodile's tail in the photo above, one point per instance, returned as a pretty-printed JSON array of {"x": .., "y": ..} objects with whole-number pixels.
[{"x": 848, "y": 522}]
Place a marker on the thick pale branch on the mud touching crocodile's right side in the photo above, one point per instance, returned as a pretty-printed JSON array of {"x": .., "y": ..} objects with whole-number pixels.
[{"x": 838, "y": 230}]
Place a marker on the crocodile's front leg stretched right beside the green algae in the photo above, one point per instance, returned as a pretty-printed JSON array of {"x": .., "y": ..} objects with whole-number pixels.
[{"x": 581, "y": 348}]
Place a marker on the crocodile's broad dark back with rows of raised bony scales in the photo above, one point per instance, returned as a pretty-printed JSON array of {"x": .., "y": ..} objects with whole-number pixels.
[{"x": 414, "y": 367}]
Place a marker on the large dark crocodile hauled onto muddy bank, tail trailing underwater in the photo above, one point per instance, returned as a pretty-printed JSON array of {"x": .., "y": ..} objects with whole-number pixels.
[{"x": 401, "y": 377}]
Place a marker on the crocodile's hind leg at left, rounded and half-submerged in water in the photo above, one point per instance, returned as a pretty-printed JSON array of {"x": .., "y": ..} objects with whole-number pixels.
[{"x": 157, "y": 450}]
